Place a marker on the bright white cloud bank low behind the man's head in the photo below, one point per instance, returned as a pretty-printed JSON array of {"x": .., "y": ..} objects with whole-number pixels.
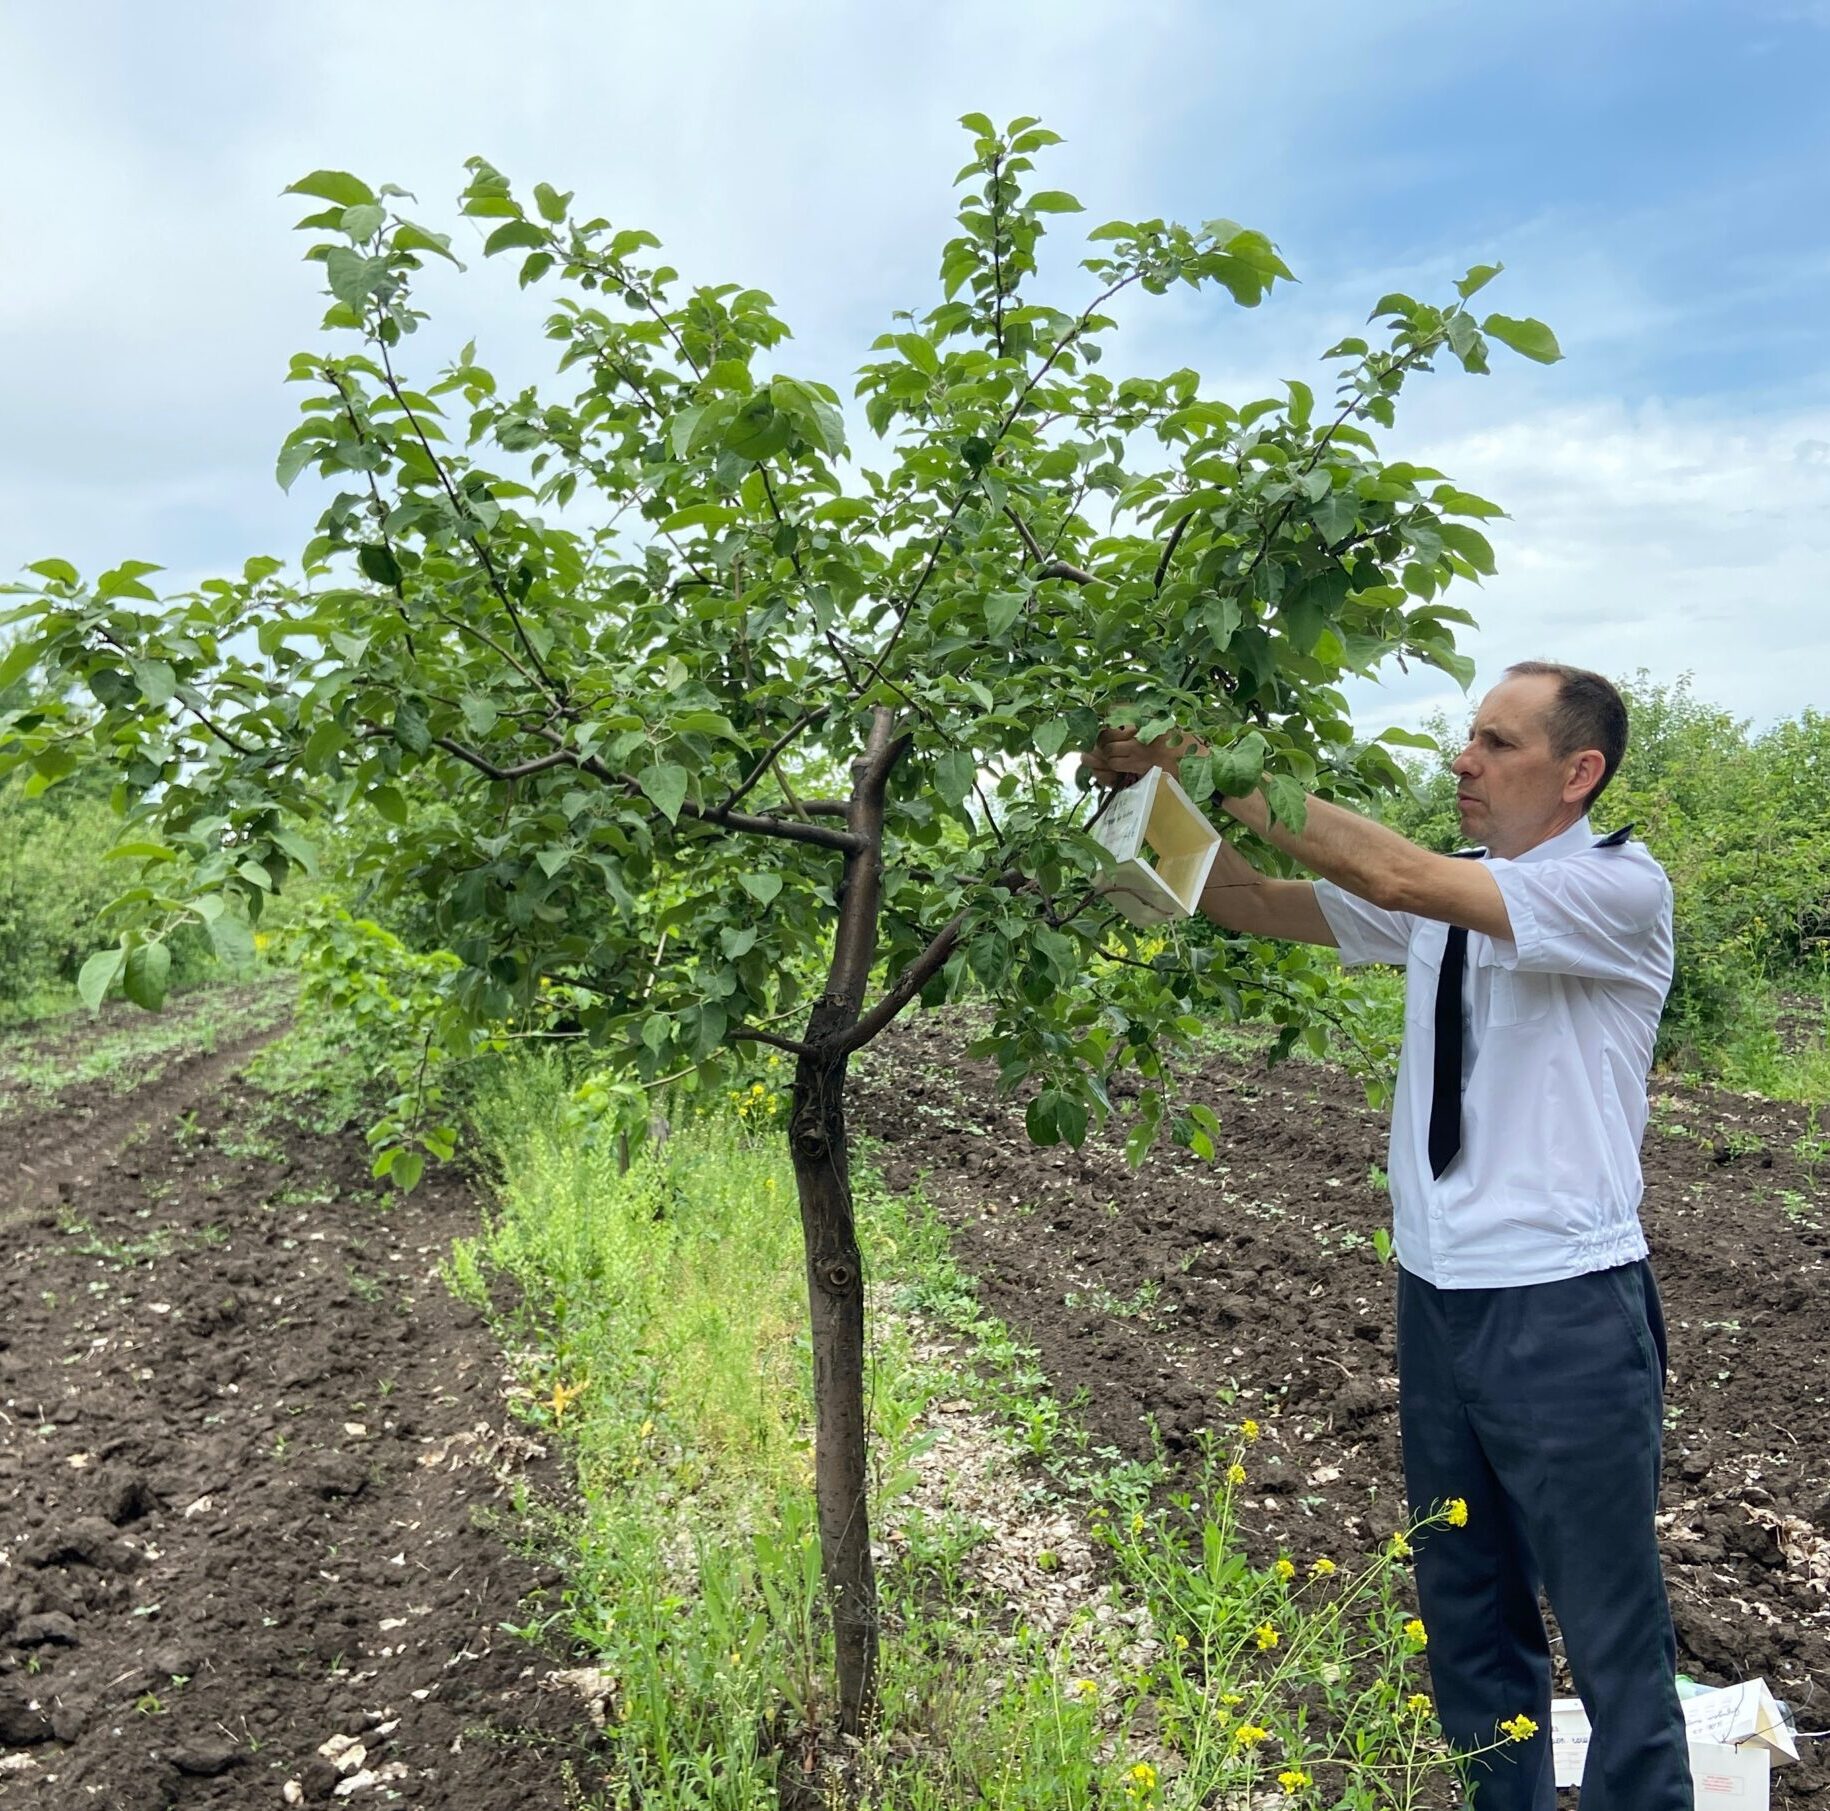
[{"x": 1663, "y": 539}]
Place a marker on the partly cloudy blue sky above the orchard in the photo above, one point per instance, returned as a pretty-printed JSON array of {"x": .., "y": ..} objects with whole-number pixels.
[{"x": 1655, "y": 178}]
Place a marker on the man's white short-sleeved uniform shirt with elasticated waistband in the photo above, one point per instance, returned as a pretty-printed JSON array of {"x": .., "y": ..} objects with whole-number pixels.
[{"x": 1558, "y": 1045}]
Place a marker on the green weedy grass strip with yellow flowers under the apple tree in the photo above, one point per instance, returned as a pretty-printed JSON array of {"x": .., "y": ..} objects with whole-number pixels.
[{"x": 1060, "y": 1631}]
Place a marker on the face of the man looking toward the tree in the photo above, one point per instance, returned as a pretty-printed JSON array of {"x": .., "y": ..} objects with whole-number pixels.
[{"x": 1512, "y": 791}]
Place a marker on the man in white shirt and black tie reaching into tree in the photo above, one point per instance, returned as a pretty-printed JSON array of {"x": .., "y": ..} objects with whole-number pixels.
[{"x": 1531, "y": 1344}]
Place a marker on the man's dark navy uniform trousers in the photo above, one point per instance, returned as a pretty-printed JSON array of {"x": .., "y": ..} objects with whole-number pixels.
[{"x": 1542, "y": 1408}]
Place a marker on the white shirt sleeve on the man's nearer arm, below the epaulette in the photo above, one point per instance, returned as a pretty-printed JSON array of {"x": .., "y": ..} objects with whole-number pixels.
[{"x": 1600, "y": 916}]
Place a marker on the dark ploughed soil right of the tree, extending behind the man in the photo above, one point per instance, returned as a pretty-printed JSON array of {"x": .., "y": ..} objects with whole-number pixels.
[{"x": 1190, "y": 1296}]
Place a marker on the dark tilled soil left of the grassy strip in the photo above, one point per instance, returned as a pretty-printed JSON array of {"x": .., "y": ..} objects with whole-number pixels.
[{"x": 253, "y": 1459}]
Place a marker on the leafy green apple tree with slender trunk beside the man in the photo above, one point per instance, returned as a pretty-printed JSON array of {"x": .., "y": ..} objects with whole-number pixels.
[{"x": 572, "y": 659}]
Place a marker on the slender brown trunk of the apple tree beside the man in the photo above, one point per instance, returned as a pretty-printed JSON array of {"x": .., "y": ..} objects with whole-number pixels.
[{"x": 835, "y": 1274}]
